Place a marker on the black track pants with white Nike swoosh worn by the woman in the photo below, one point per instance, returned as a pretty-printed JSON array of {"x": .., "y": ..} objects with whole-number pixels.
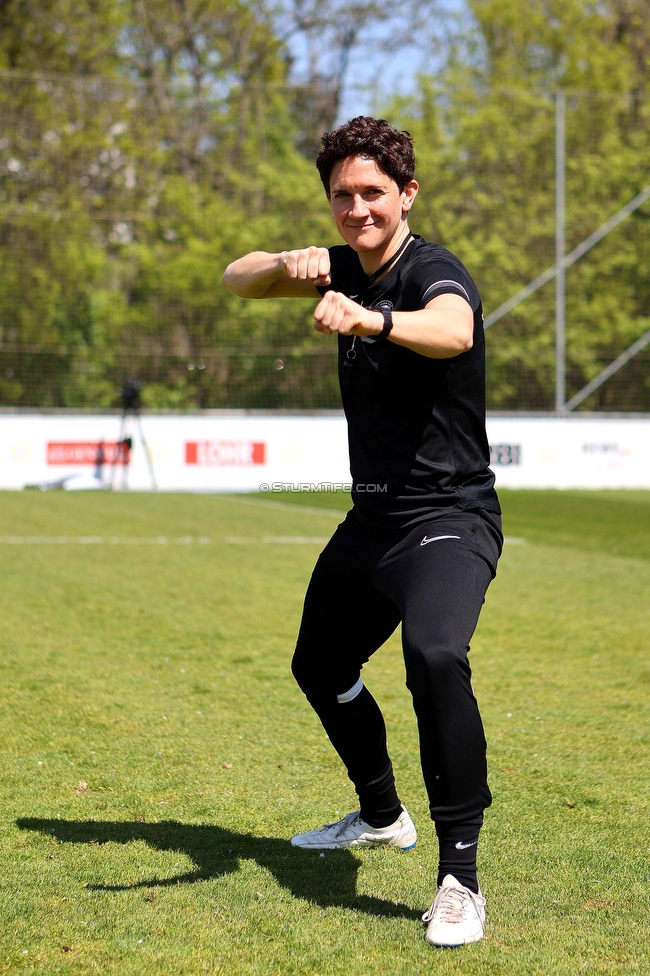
[{"x": 433, "y": 578}]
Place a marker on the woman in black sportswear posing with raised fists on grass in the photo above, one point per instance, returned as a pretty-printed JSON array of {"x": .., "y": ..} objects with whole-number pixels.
[{"x": 422, "y": 541}]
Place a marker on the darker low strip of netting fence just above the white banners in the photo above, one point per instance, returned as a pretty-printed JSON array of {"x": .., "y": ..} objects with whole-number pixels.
[{"x": 272, "y": 379}]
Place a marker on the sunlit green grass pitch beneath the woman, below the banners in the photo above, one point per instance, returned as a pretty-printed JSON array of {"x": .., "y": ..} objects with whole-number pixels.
[{"x": 157, "y": 756}]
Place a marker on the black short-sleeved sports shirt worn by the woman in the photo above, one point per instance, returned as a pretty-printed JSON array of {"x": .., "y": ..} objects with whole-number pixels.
[{"x": 416, "y": 426}]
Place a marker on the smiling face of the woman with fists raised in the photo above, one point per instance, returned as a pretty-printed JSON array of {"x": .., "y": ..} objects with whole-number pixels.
[{"x": 368, "y": 208}]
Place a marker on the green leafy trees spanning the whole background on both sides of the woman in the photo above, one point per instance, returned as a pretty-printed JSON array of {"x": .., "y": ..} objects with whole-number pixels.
[{"x": 144, "y": 145}]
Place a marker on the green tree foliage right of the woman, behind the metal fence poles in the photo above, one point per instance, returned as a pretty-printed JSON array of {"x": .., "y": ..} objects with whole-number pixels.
[{"x": 485, "y": 138}]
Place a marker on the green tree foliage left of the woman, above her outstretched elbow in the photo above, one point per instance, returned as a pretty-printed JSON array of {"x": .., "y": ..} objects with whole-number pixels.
[{"x": 128, "y": 192}]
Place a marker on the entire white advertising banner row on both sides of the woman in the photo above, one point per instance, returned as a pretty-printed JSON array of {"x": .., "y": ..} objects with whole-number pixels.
[{"x": 225, "y": 452}]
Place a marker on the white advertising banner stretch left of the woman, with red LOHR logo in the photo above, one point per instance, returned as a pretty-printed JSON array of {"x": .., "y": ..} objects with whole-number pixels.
[{"x": 192, "y": 452}]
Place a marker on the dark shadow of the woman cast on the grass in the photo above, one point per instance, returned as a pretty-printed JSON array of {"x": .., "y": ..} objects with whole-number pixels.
[{"x": 216, "y": 852}]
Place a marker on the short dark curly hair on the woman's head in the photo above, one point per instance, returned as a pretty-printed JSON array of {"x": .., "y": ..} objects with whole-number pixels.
[{"x": 373, "y": 138}]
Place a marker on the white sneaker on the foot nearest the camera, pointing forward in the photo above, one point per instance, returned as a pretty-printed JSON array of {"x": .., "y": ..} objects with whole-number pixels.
[{"x": 457, "y": 915}]
